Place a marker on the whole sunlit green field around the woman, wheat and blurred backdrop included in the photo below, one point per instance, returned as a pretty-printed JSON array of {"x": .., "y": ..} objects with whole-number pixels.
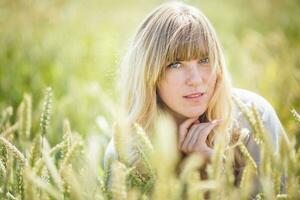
[{"x": 52, "y": 144}]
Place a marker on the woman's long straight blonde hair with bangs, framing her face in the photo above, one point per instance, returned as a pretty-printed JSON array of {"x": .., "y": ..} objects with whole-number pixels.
[{"x": 172, "y": 31}]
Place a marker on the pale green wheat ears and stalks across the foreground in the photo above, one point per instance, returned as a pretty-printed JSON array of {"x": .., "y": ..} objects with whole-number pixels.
[{"x": 32, "y": 169}]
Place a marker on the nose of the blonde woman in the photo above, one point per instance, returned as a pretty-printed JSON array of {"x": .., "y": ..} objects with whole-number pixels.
[{"x": 194, "y": 77}]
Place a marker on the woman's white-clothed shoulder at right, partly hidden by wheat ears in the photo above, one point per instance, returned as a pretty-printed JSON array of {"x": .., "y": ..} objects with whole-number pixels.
[{"x": 271, "y": 122}]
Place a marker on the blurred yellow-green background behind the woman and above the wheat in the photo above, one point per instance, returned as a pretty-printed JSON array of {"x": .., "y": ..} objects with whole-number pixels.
[{"x": 75, "y": 47}]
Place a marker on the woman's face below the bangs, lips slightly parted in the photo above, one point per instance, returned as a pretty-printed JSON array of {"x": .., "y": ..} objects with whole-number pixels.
[{"x": 187, "y": 88}]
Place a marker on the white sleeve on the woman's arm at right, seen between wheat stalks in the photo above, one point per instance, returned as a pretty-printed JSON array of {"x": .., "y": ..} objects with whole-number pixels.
[{"x": 274, "y": 132}]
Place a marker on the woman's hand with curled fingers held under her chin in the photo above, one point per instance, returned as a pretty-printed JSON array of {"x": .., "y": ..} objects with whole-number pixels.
[{"x": 193, "y": 135}]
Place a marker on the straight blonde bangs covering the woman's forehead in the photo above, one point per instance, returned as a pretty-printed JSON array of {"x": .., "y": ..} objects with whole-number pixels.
[{"x": 188, "y": 41}]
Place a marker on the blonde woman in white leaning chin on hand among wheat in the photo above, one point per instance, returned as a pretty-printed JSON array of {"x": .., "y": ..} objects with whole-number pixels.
[{"x": 175, "y": 63}]
